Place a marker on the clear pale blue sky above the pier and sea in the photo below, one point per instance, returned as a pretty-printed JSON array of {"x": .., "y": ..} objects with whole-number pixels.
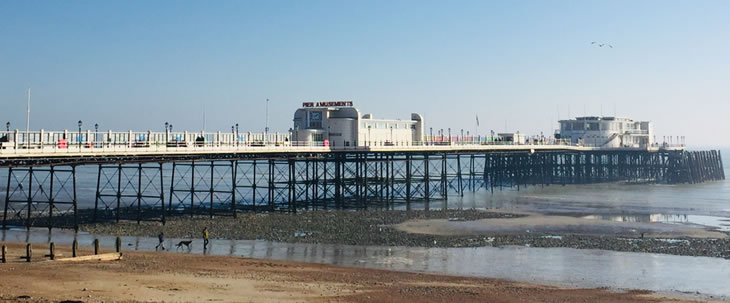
[{"x": 517, "y": 64}]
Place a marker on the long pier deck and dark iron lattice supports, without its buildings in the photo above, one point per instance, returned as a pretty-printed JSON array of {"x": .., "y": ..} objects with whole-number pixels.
[{"x": 222, "y": 174}]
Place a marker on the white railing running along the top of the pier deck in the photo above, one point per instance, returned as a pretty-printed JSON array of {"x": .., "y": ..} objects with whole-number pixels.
[{"x": 89, "y": 142}]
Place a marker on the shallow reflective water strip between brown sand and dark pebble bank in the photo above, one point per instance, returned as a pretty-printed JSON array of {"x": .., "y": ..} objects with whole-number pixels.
[{"x": 554, "y": 266}]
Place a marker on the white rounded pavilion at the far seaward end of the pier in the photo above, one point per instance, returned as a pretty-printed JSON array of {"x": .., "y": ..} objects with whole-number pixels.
[{"x": 607, "y": 132}]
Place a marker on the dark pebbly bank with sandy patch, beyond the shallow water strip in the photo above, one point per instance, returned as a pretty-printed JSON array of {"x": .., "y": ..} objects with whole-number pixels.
[{"x": 450, "y": 228}]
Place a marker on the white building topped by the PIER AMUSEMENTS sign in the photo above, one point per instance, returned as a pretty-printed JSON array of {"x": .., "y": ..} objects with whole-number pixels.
[{"x": 338, "y": 124}]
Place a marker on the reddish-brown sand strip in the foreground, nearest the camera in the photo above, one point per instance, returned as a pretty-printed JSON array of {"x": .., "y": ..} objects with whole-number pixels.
[{"x": 149, "y": 276}]
